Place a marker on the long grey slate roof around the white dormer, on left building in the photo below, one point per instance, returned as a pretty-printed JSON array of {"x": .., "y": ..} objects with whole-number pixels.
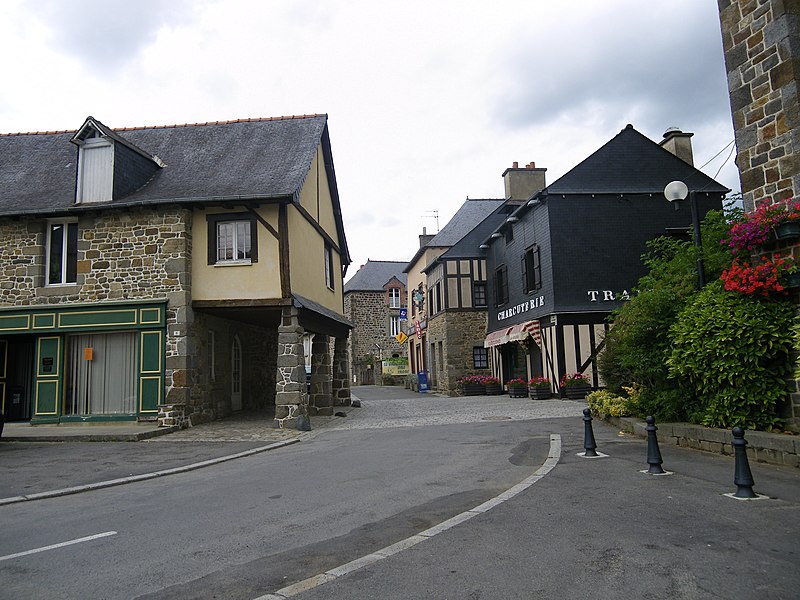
[{"x": 256, "y": 158}]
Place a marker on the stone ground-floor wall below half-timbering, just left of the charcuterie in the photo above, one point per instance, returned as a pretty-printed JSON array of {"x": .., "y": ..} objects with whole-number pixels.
[{"x": 459, "y": 332}]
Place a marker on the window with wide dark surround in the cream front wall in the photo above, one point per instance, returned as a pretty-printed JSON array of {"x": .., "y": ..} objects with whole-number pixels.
[{"x": 232, "y": 239}]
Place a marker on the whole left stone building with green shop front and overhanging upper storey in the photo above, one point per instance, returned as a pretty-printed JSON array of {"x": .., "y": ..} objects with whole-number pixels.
[{"x": 171, "y": 270}]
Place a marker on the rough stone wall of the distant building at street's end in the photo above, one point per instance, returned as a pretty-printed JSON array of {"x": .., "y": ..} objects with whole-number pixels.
[{"x": 369, "y": 313}]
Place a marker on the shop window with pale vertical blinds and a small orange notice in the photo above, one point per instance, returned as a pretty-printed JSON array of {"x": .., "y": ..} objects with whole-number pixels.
[{"x": 102, "y": 374}]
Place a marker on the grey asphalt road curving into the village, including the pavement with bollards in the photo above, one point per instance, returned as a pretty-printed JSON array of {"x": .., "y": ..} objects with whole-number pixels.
[{"x": 248, "y": 528}]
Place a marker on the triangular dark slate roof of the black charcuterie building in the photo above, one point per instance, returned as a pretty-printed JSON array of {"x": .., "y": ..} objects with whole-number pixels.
[{"x": 631, "y": 163}]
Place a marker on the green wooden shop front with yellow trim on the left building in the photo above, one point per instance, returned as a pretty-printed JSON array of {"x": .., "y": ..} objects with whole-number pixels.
[{"x": 82, "y": 362}]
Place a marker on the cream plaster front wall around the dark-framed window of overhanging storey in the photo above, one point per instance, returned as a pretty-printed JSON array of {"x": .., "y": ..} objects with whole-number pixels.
[{"x": 259, "y": 280}]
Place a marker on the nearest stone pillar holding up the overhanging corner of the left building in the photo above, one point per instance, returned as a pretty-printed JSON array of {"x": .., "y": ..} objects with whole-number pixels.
[{"x": 291, "y": 400}]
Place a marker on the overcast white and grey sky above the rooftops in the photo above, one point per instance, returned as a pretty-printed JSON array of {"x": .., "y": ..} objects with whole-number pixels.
[{"x": 428, "y": 101}]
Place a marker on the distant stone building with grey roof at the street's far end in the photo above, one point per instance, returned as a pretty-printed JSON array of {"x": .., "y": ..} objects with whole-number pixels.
[{"x": 374, "y": 299}]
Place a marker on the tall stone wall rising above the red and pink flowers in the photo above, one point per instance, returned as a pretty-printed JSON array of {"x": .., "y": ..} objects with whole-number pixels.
[{"x": 761, "y": 43}]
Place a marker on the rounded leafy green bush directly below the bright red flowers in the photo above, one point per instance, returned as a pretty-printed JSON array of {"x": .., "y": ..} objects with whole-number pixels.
[{"x": 731, "y": 351}]
